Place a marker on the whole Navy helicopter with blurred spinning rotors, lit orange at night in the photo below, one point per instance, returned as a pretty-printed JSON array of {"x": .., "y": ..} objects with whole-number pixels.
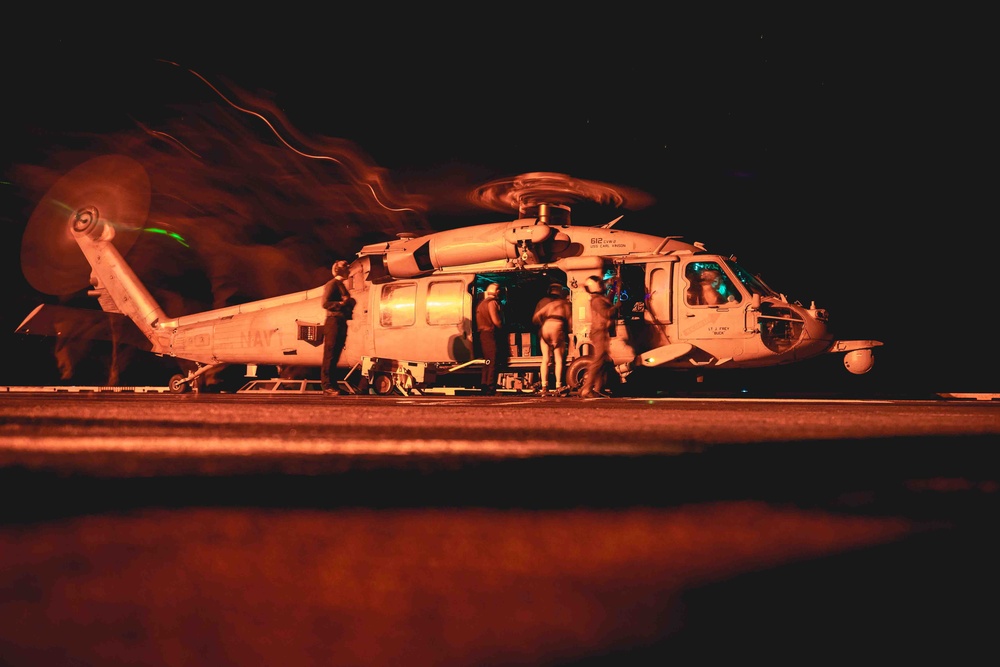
[{"x": 681, "y": 308}]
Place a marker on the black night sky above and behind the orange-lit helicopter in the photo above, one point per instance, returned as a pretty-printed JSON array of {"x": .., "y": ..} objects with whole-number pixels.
[{"x": 846, "y": 164}]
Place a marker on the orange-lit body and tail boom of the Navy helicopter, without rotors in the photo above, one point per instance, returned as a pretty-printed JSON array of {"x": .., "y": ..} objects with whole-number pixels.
[{"x": 679, "y": 307}]
